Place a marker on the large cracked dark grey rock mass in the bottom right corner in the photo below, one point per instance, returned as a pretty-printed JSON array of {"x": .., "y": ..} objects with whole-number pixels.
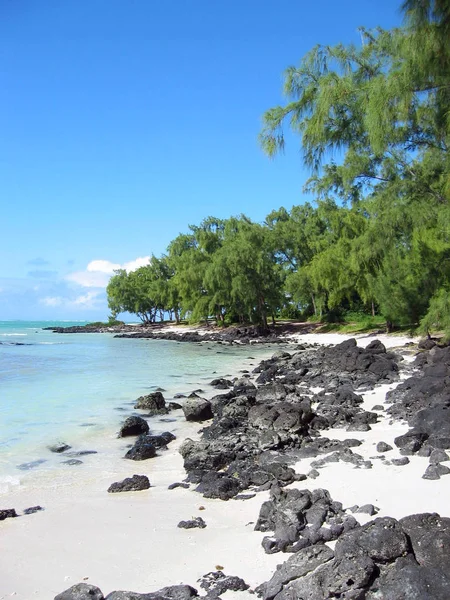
[{"x": 384, "y": 559}]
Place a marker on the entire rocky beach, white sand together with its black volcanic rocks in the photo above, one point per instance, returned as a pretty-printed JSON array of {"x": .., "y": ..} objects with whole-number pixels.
[{"x": 339, "y": 449}]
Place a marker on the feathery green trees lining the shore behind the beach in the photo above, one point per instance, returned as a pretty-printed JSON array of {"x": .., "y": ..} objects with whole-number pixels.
[{"x": 377, "y": 238}]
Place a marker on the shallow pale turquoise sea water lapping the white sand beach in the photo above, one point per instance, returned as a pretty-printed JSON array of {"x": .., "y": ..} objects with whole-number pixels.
[{"x": 78, "y": 387}]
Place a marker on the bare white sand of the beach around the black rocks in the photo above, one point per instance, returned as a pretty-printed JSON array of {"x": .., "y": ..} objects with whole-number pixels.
[{"x": 131, "y": 541}]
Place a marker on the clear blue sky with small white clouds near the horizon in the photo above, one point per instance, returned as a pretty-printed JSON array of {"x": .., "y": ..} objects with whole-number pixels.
[{"x": 124, "y": 121}]
